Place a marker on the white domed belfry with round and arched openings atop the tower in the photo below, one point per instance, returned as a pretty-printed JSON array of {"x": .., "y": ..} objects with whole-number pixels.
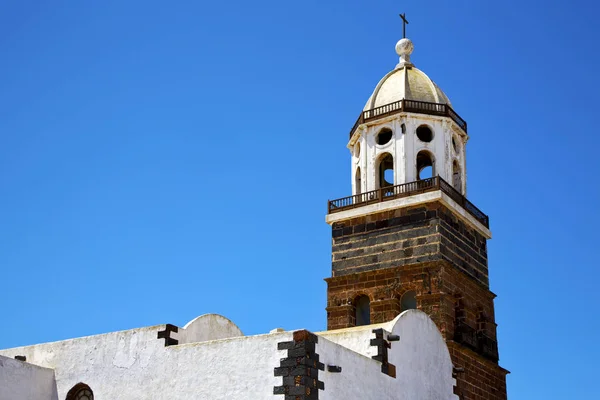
[{"x": 407, "y": 132}]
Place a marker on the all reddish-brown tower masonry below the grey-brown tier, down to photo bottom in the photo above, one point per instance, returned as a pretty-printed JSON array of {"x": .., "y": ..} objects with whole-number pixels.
[{"x": 438, "y": 285}]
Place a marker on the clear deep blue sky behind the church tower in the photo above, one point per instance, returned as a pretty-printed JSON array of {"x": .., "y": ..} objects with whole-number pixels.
[{"x": 160, "y": 160}]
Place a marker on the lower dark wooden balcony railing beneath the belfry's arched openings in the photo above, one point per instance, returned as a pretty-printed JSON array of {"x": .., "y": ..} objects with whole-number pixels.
[{"x": 405, "y": 190}]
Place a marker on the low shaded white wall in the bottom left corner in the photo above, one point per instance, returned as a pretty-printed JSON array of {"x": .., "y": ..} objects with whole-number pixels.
[{"x": 22, "y": 380}]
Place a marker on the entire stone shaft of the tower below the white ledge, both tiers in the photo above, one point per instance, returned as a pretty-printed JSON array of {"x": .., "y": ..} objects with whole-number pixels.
[{"x": 425, "y": 249}]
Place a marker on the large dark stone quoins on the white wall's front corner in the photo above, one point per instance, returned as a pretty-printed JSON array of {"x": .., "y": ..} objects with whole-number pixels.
[{"x": 300, "y": 369}]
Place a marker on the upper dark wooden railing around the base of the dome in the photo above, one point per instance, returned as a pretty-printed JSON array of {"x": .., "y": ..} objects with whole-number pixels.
[{"x": 419, "y": 107}]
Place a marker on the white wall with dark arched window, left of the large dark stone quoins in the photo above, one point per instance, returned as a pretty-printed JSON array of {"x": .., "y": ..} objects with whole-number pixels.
[{"x": 135, "y": 364}]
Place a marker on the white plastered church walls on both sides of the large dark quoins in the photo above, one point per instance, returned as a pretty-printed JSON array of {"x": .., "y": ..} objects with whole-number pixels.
[{"x": 135, "y": 364}]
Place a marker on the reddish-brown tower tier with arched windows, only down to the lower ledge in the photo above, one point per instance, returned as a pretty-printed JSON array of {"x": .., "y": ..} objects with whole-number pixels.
[{"x": 438, "y": 285}]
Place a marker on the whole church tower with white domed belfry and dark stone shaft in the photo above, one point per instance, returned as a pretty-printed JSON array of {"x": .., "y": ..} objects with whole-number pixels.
[{"x": 408, "y": 237}]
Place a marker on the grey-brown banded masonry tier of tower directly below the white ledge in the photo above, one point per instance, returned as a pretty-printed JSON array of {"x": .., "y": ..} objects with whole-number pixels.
[{"x": 406, "y": 236}]
